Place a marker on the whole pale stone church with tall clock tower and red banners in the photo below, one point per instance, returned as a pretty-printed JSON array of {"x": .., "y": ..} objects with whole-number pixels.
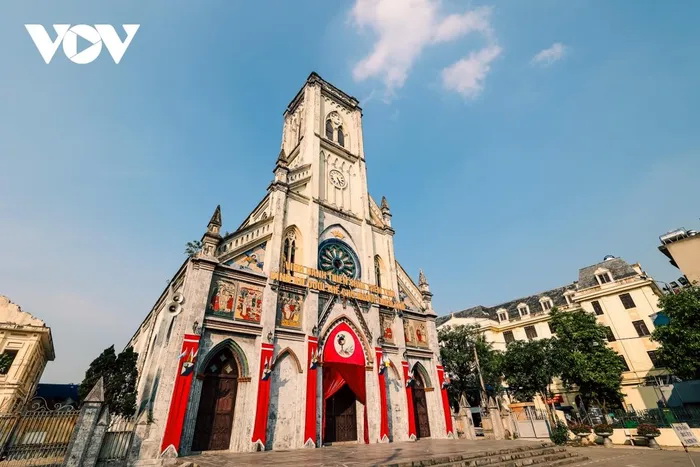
[{"x": 300, "y": 328}]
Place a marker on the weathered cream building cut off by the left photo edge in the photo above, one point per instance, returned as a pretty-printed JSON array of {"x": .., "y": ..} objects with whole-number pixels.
[{"x": 26, "y": 345}]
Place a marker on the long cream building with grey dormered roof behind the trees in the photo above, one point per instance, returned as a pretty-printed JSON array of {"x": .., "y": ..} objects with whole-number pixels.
[{"x": 623, "y": 298}]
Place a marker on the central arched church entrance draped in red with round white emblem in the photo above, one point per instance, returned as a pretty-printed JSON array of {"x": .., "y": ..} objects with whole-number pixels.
[{"x": 343, "y": 387}]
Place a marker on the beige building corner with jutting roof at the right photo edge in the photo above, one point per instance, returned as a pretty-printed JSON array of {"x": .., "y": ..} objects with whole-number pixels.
[{"x": 682, "y": 247}]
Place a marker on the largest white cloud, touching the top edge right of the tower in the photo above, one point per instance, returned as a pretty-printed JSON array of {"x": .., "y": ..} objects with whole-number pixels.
[{"x": 404, "y": 28}]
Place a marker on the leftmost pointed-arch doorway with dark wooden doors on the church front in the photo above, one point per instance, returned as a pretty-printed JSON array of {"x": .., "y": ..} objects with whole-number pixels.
[{"x": 217, "y": 403}]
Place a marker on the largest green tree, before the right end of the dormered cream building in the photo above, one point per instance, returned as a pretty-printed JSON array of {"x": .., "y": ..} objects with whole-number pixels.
[{"x": 585, "y": 359}]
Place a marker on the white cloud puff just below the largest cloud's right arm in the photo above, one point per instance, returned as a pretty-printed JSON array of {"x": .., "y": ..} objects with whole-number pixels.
[{"x": 468, "y": 74}]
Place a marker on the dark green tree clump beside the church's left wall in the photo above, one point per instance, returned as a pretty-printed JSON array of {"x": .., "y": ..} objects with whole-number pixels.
[{"x": 119, "y": 373}]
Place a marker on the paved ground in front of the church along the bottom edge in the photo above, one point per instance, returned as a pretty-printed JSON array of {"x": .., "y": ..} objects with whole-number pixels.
[{"x": 392, "y": 453}]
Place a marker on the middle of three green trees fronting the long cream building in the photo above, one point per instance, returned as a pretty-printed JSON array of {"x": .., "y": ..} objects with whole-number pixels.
[{"x": 529, "y": 367}]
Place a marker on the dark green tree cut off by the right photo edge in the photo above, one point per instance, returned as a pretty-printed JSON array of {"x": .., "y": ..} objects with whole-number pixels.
[{"x": 680, "y": 338}]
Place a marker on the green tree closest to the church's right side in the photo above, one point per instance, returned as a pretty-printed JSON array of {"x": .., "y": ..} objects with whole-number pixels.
[{"x": 457, "y": 354}]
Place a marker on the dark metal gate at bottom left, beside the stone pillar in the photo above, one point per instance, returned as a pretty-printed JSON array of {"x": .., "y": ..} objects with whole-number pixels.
[{"x": 36, "y": 436}]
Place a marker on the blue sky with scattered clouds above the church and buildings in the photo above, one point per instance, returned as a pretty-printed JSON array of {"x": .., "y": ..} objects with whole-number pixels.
[{"x": 515, "y": 141}]
